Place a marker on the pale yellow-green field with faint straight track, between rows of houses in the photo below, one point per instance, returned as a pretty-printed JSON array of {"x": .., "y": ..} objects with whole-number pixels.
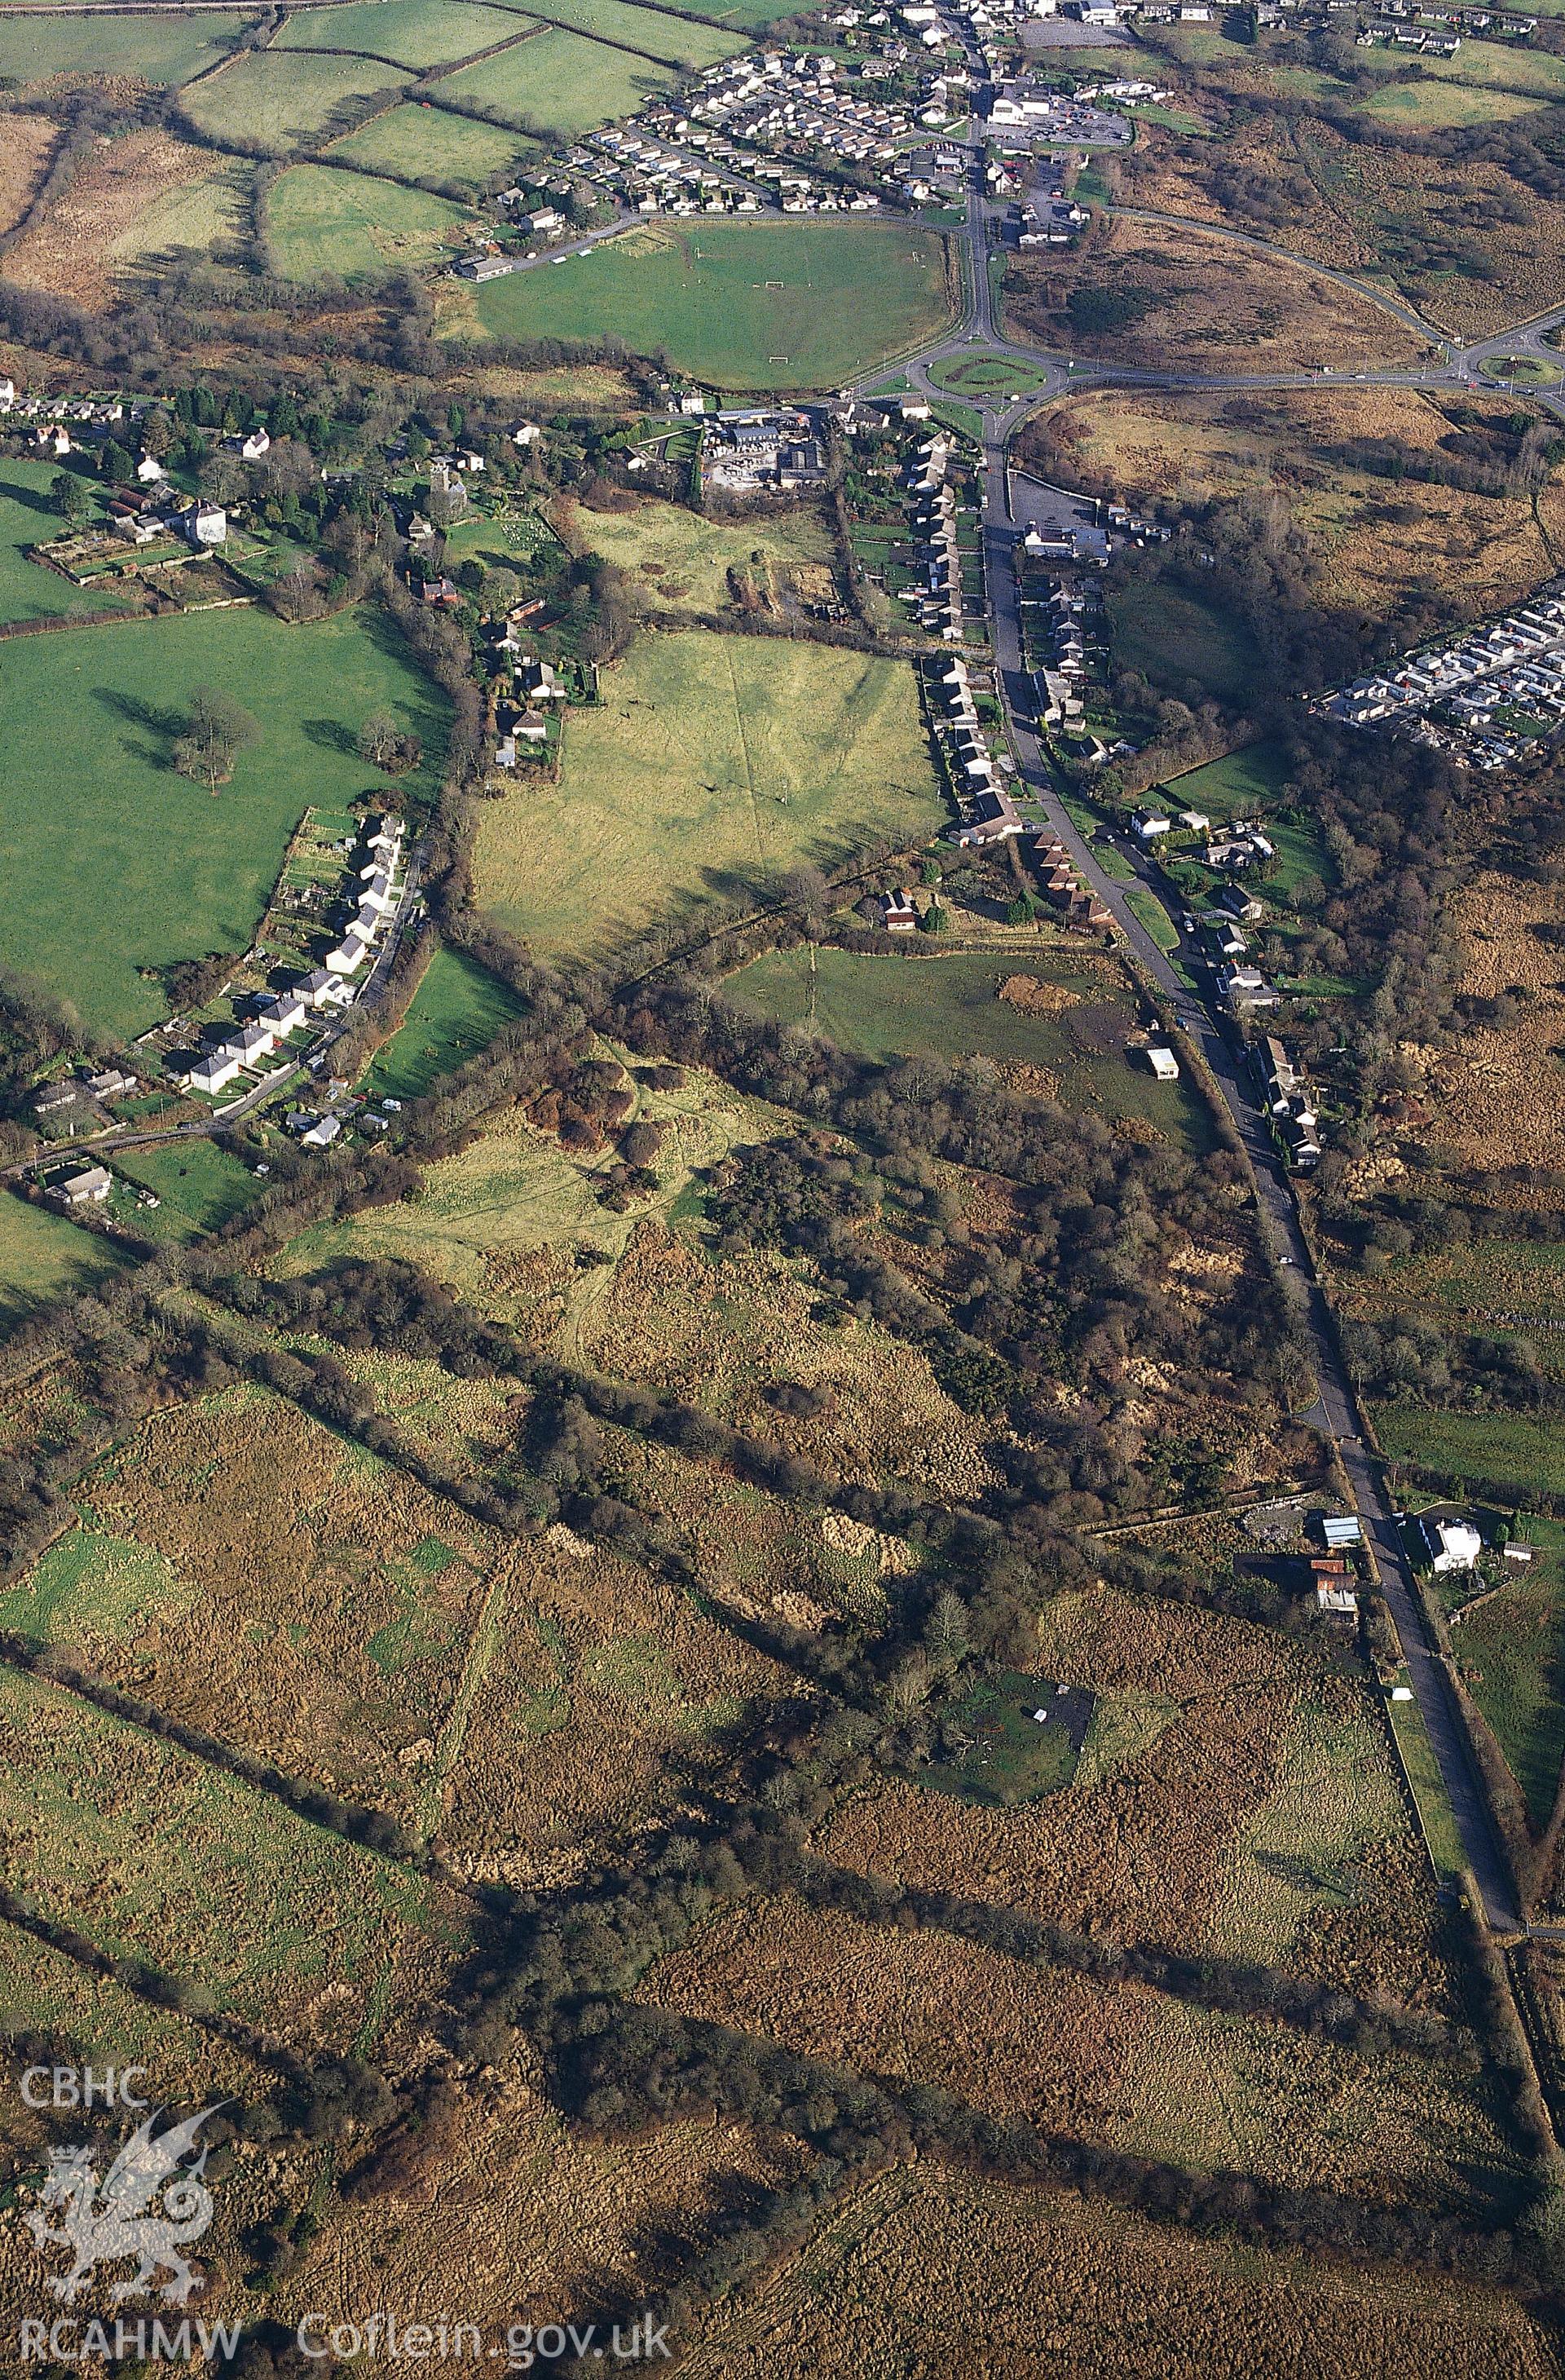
[{"x": 715, "y": 765}]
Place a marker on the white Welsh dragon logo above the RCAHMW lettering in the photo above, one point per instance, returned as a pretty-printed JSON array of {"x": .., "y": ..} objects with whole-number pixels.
[{"x": 151, "y": 2207}]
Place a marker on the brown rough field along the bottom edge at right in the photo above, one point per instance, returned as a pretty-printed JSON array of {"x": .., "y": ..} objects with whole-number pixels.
[{"x": 895, "y": 2279}]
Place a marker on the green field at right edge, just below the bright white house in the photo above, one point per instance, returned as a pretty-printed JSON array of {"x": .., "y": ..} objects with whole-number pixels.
[{"x": 1514, "y": 1653}]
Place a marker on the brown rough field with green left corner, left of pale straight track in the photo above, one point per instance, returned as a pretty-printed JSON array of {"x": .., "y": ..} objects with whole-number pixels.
[{"x": 291, "y": 1593}]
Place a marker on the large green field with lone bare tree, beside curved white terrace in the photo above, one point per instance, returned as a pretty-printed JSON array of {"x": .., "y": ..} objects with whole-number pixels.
[{"x": 111, "y": 860}]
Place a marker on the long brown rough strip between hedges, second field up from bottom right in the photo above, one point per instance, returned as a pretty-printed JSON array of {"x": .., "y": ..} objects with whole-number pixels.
[{"x": 1112, "y": 2065}]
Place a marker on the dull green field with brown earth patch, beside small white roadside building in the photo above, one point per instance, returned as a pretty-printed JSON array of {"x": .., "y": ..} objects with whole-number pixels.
[{"x": 953, "y": 1008}]
